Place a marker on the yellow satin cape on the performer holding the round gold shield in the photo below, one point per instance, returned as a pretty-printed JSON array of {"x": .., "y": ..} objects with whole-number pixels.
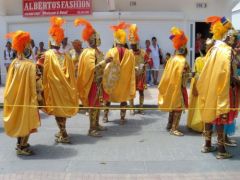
[{"x": 126, "y": 87}]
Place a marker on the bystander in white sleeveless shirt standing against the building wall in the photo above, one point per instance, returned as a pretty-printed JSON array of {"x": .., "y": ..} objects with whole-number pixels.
[{"x": 157, "y": 58}]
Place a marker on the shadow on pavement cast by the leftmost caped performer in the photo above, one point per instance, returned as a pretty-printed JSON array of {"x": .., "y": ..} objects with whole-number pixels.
[{"x": 51, "y": 152}]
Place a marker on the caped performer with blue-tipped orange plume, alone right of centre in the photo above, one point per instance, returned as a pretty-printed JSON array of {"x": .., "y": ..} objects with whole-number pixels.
[{"x": 173, "y": 96}]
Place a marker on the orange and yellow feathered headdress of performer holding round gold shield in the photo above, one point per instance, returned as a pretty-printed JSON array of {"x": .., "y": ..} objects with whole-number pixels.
[{"x": 119, "y": 33}]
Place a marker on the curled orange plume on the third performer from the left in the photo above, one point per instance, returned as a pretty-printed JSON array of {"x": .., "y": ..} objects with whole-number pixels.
[{"x": 88, "y": 31}]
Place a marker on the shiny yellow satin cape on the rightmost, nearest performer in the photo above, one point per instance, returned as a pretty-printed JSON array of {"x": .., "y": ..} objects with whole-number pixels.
[{"x": 214, "y": 83}]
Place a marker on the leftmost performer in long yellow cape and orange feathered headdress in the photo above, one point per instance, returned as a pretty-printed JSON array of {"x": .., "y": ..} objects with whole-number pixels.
[{"x": 20, "y": 115}]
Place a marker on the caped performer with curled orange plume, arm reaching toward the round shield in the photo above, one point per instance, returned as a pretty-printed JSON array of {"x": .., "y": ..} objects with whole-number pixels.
[{"x": 90, "y": 73}]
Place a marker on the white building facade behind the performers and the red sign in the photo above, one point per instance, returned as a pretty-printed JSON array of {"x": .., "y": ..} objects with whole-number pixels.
[{"x": 153, "y": 17}]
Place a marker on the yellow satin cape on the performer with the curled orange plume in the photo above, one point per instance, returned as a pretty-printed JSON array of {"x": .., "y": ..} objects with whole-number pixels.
[{"x": 85, "y": 74}]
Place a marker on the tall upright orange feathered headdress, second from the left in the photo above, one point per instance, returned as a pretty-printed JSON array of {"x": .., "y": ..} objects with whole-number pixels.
[{"x": 56, "y": 31}]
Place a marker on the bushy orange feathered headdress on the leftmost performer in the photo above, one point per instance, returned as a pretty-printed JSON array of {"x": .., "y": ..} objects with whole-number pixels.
[{"x": 20, "y": 40}]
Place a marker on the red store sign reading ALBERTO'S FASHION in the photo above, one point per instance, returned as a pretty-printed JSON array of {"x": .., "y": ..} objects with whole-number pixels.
[{"x": 36, "y": 8}]
